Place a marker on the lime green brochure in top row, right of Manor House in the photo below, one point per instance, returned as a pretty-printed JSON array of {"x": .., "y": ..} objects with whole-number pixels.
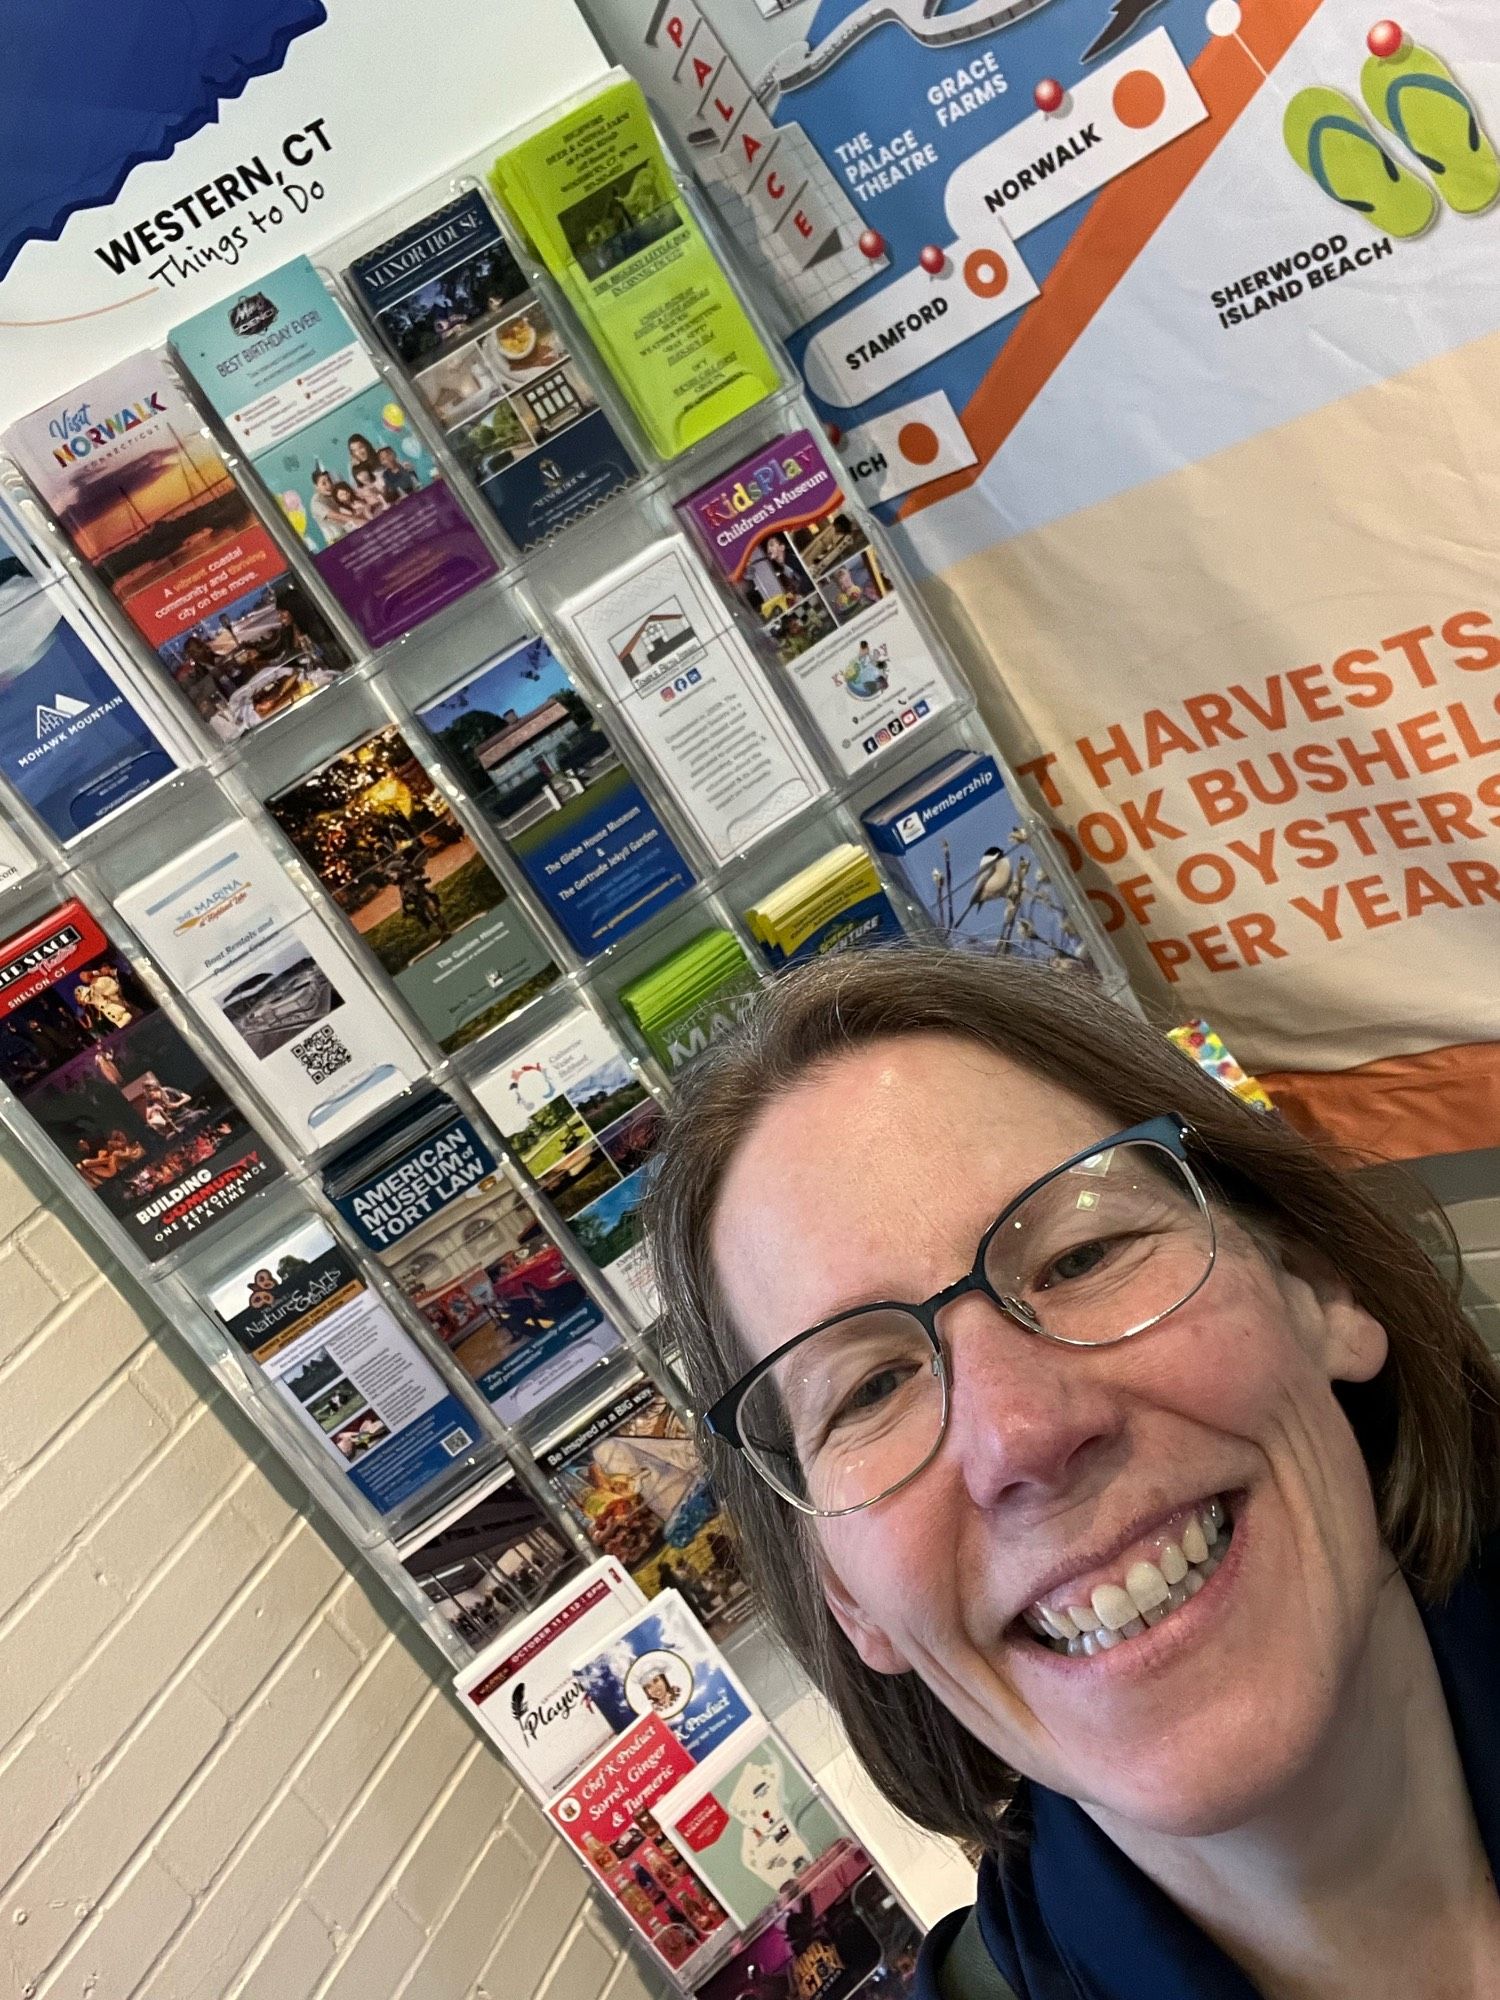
[{"x": 595, "y": 195}]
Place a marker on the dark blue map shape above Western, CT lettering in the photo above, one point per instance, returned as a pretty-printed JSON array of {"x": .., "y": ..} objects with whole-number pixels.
[{"x": 91, "y": 89}]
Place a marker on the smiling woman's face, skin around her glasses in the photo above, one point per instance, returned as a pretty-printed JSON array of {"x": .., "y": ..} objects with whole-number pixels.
[{"x": 1067, "y": 1471}]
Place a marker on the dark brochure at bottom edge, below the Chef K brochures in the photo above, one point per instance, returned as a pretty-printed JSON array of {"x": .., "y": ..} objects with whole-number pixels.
[{"x": 841, "y": 1935}]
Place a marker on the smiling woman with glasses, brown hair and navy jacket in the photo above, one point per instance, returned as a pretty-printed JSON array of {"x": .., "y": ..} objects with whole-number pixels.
[{"x": 1149, "y": 1551}]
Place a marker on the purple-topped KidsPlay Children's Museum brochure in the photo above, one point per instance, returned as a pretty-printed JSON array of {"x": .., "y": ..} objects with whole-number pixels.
[{"x": 781, "y": 531}]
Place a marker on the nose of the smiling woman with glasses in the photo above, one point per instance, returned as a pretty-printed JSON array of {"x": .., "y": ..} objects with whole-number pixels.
[{"x": 1029, "y": 1417}]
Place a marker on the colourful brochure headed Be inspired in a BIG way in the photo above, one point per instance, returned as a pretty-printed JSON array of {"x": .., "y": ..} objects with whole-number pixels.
[{"x": 635, "y": 1485}]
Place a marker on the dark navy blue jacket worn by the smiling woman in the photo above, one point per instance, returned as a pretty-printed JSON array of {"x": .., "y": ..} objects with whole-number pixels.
[{"x": 1071, "y": 1919}]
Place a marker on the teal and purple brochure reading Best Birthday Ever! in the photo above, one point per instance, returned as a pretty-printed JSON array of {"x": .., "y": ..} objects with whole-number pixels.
[{"x": 307, "y": 405}]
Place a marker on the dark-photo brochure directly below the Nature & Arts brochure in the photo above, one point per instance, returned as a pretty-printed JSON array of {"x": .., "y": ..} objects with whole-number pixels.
[{"x": 489, "y": 1559}]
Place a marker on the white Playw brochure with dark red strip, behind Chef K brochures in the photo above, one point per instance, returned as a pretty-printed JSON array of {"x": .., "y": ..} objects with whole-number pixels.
[{"x": 523, "y": 1689}]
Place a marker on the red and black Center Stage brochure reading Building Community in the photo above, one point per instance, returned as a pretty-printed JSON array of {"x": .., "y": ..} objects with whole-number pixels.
[{"x": 119, "y": 1091}]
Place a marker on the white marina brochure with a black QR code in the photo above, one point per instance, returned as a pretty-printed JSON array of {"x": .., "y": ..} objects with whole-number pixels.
[{"x": 291, "y": 1009}]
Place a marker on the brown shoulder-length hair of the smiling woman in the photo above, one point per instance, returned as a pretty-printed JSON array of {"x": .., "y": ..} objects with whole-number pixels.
[{"x": 1429, "y": 1425}]
